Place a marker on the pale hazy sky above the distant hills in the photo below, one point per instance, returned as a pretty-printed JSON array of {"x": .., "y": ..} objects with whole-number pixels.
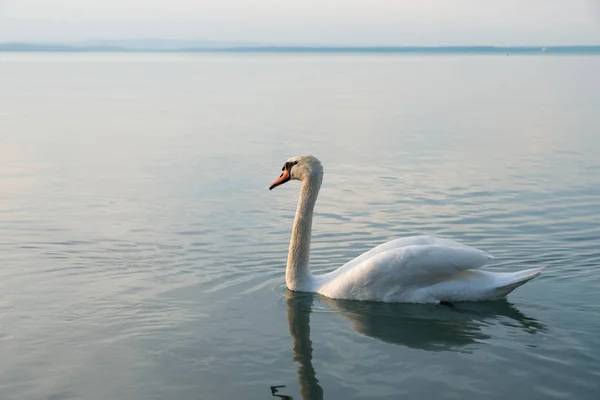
[{"x": 366, "y": 22}]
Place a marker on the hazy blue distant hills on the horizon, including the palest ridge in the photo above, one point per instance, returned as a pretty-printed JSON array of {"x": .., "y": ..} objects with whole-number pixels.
[{"x": 165, "y": 45}]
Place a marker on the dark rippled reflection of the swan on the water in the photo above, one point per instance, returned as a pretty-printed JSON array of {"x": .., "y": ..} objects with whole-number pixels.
[{"x": 420, "y": 326}]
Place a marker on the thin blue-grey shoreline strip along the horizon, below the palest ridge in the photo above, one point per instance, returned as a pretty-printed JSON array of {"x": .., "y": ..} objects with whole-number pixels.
[{"x": 35, "y": 47}]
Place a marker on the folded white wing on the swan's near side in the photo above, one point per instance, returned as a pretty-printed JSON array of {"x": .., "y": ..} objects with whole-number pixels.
[{"x": 409, "y": 266}]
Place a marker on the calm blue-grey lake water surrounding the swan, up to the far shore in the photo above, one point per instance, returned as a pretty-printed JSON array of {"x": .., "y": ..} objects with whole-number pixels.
[{"x": 142, "y": 255}]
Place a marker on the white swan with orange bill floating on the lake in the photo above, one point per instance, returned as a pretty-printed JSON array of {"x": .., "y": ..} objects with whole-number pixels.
[{"x": 418, "y": 269}]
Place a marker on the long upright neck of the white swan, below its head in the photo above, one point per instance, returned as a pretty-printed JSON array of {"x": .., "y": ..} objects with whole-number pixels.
[{"x": 297, "y": 273}]
